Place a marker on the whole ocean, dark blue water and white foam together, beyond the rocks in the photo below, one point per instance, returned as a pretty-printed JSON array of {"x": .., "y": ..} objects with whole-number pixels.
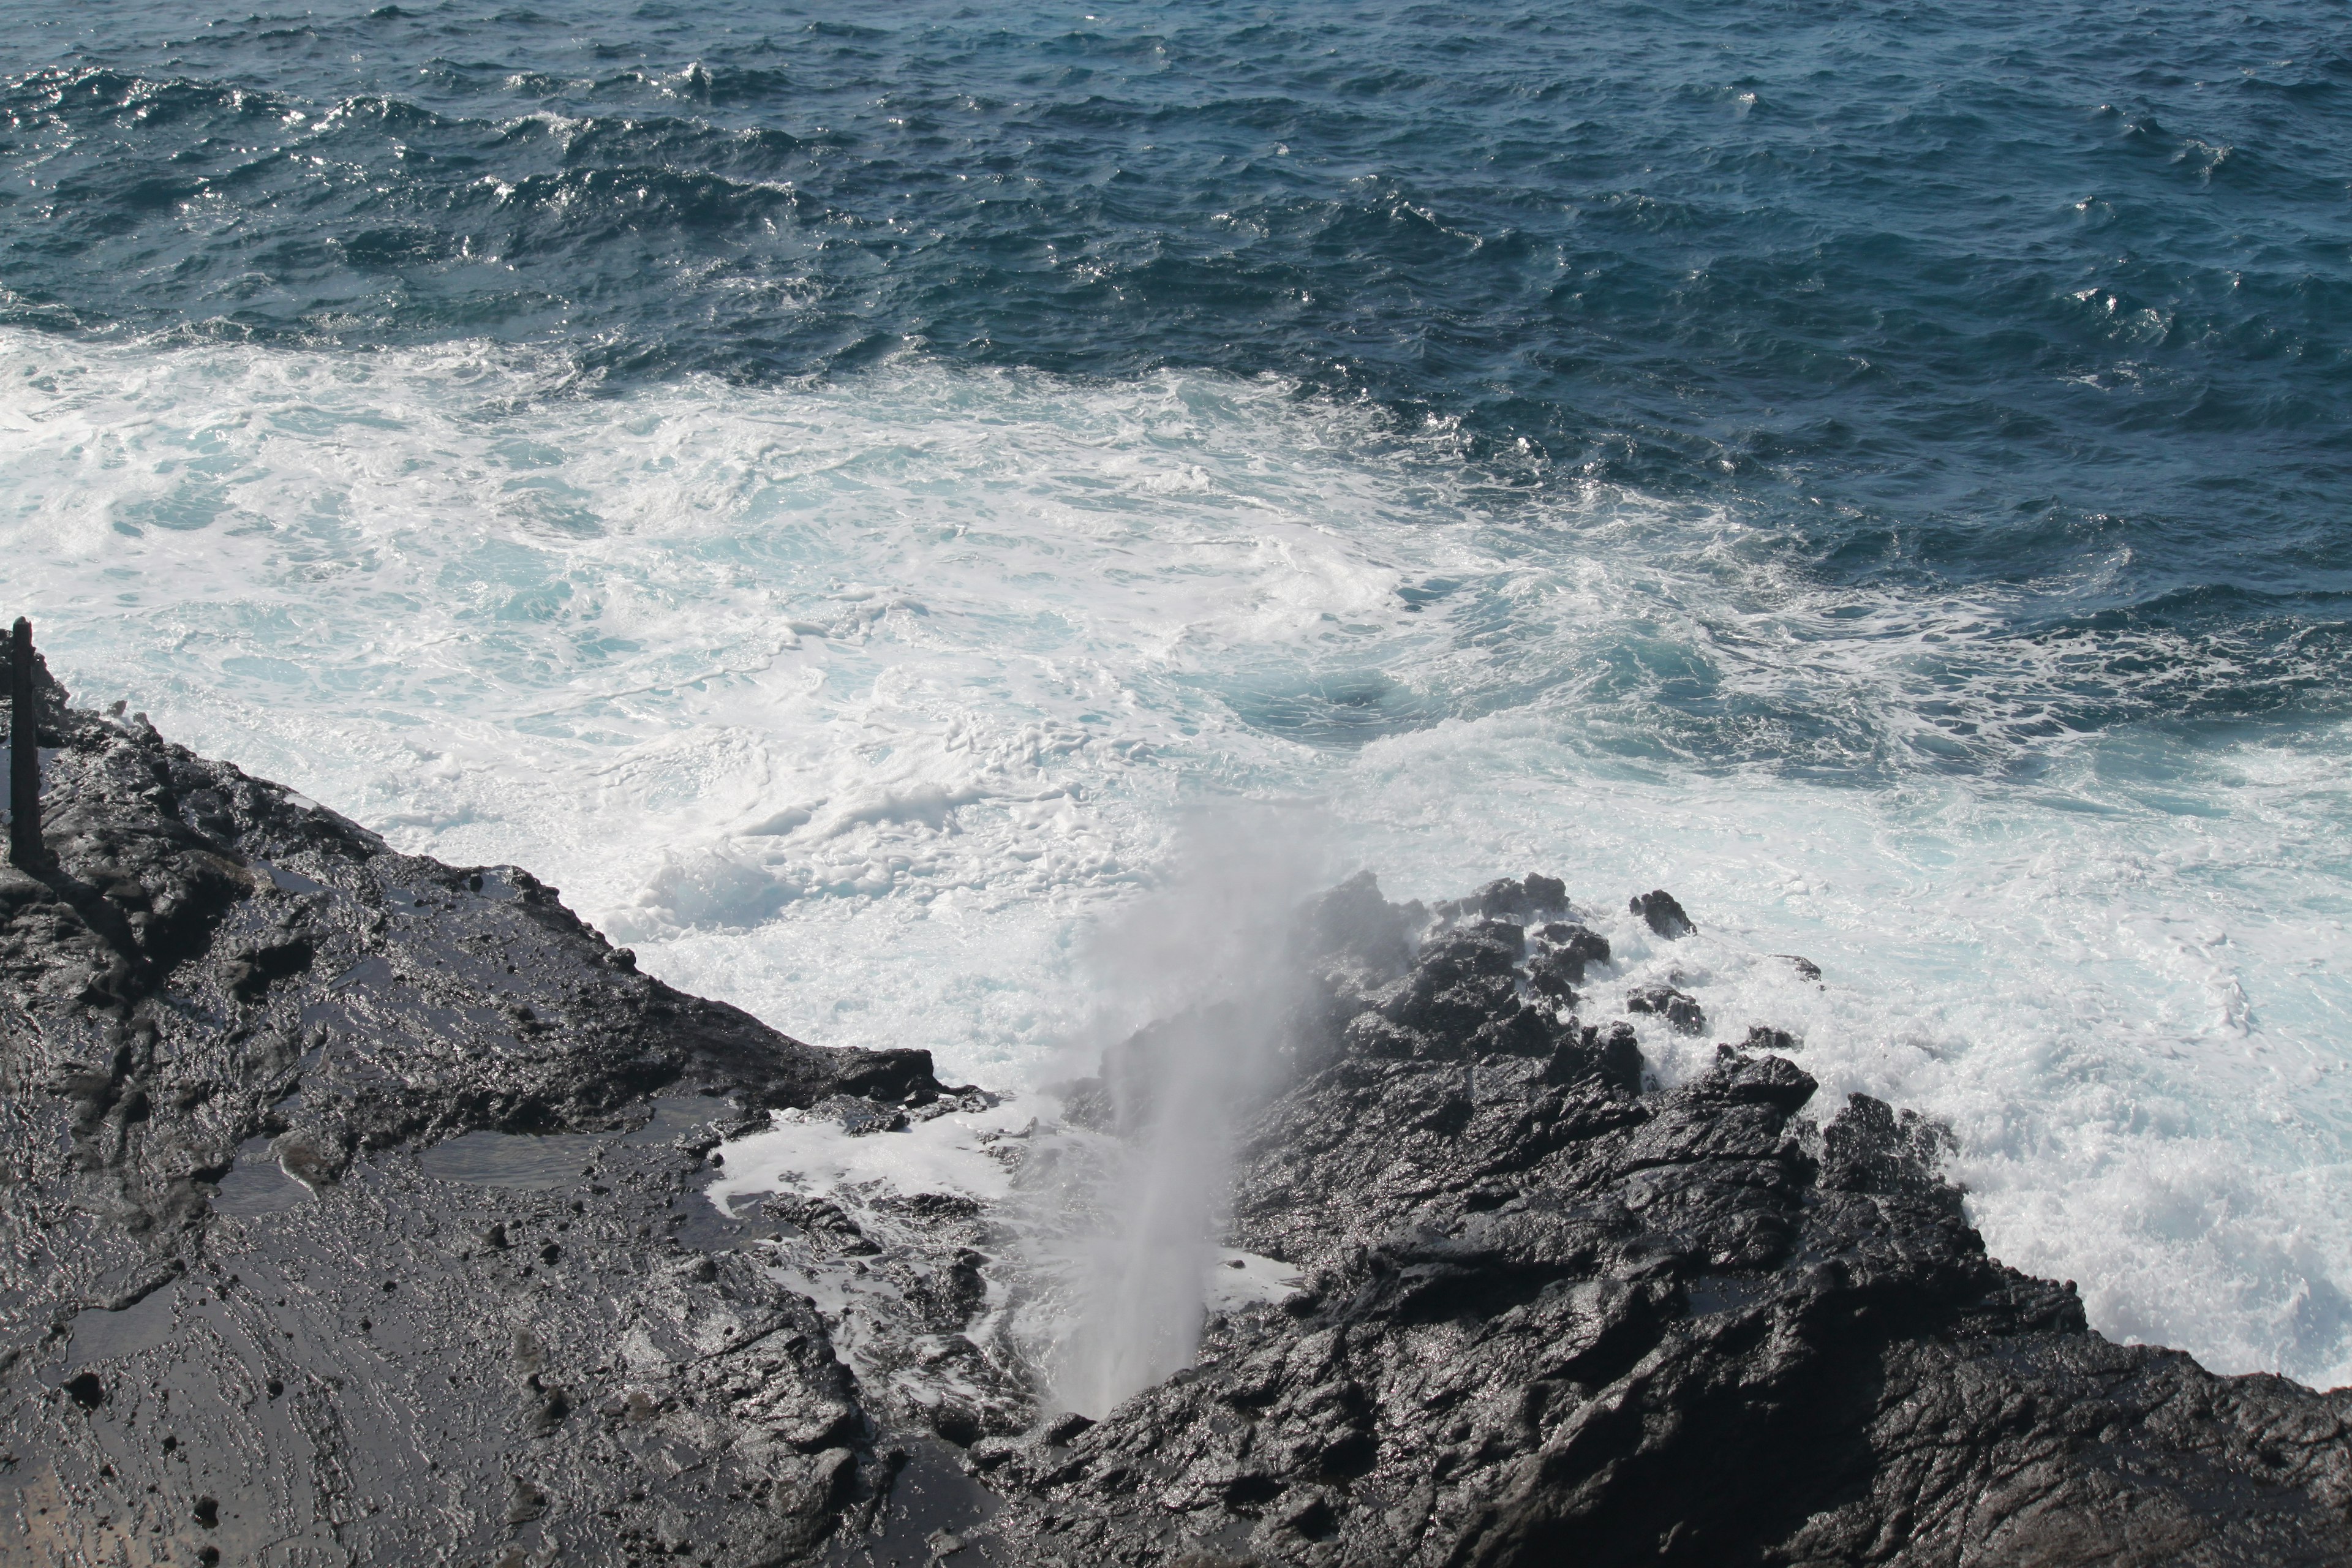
[{"x": 850, "y": 492}]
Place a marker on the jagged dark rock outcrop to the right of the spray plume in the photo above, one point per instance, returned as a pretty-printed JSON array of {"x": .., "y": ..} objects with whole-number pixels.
[{"x": 1558, "y": 1320}]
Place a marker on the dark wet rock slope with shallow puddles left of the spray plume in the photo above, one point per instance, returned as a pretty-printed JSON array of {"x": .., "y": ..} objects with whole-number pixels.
[{"x": 203, "y": 1362}]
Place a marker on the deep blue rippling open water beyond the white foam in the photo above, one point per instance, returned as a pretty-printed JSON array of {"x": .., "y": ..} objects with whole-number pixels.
[{"x": 2043, "y": 297}]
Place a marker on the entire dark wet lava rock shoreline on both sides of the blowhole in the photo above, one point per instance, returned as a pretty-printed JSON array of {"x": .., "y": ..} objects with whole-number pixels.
[{"x": 356, "y": 1214}]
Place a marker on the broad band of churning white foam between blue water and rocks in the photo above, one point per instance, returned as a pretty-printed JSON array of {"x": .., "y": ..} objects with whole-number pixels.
[{"x": 864, "y": 704}]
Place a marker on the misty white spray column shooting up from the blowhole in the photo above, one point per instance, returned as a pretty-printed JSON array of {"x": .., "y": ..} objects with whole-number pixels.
[{"x": 1137, "y": 1188}]
